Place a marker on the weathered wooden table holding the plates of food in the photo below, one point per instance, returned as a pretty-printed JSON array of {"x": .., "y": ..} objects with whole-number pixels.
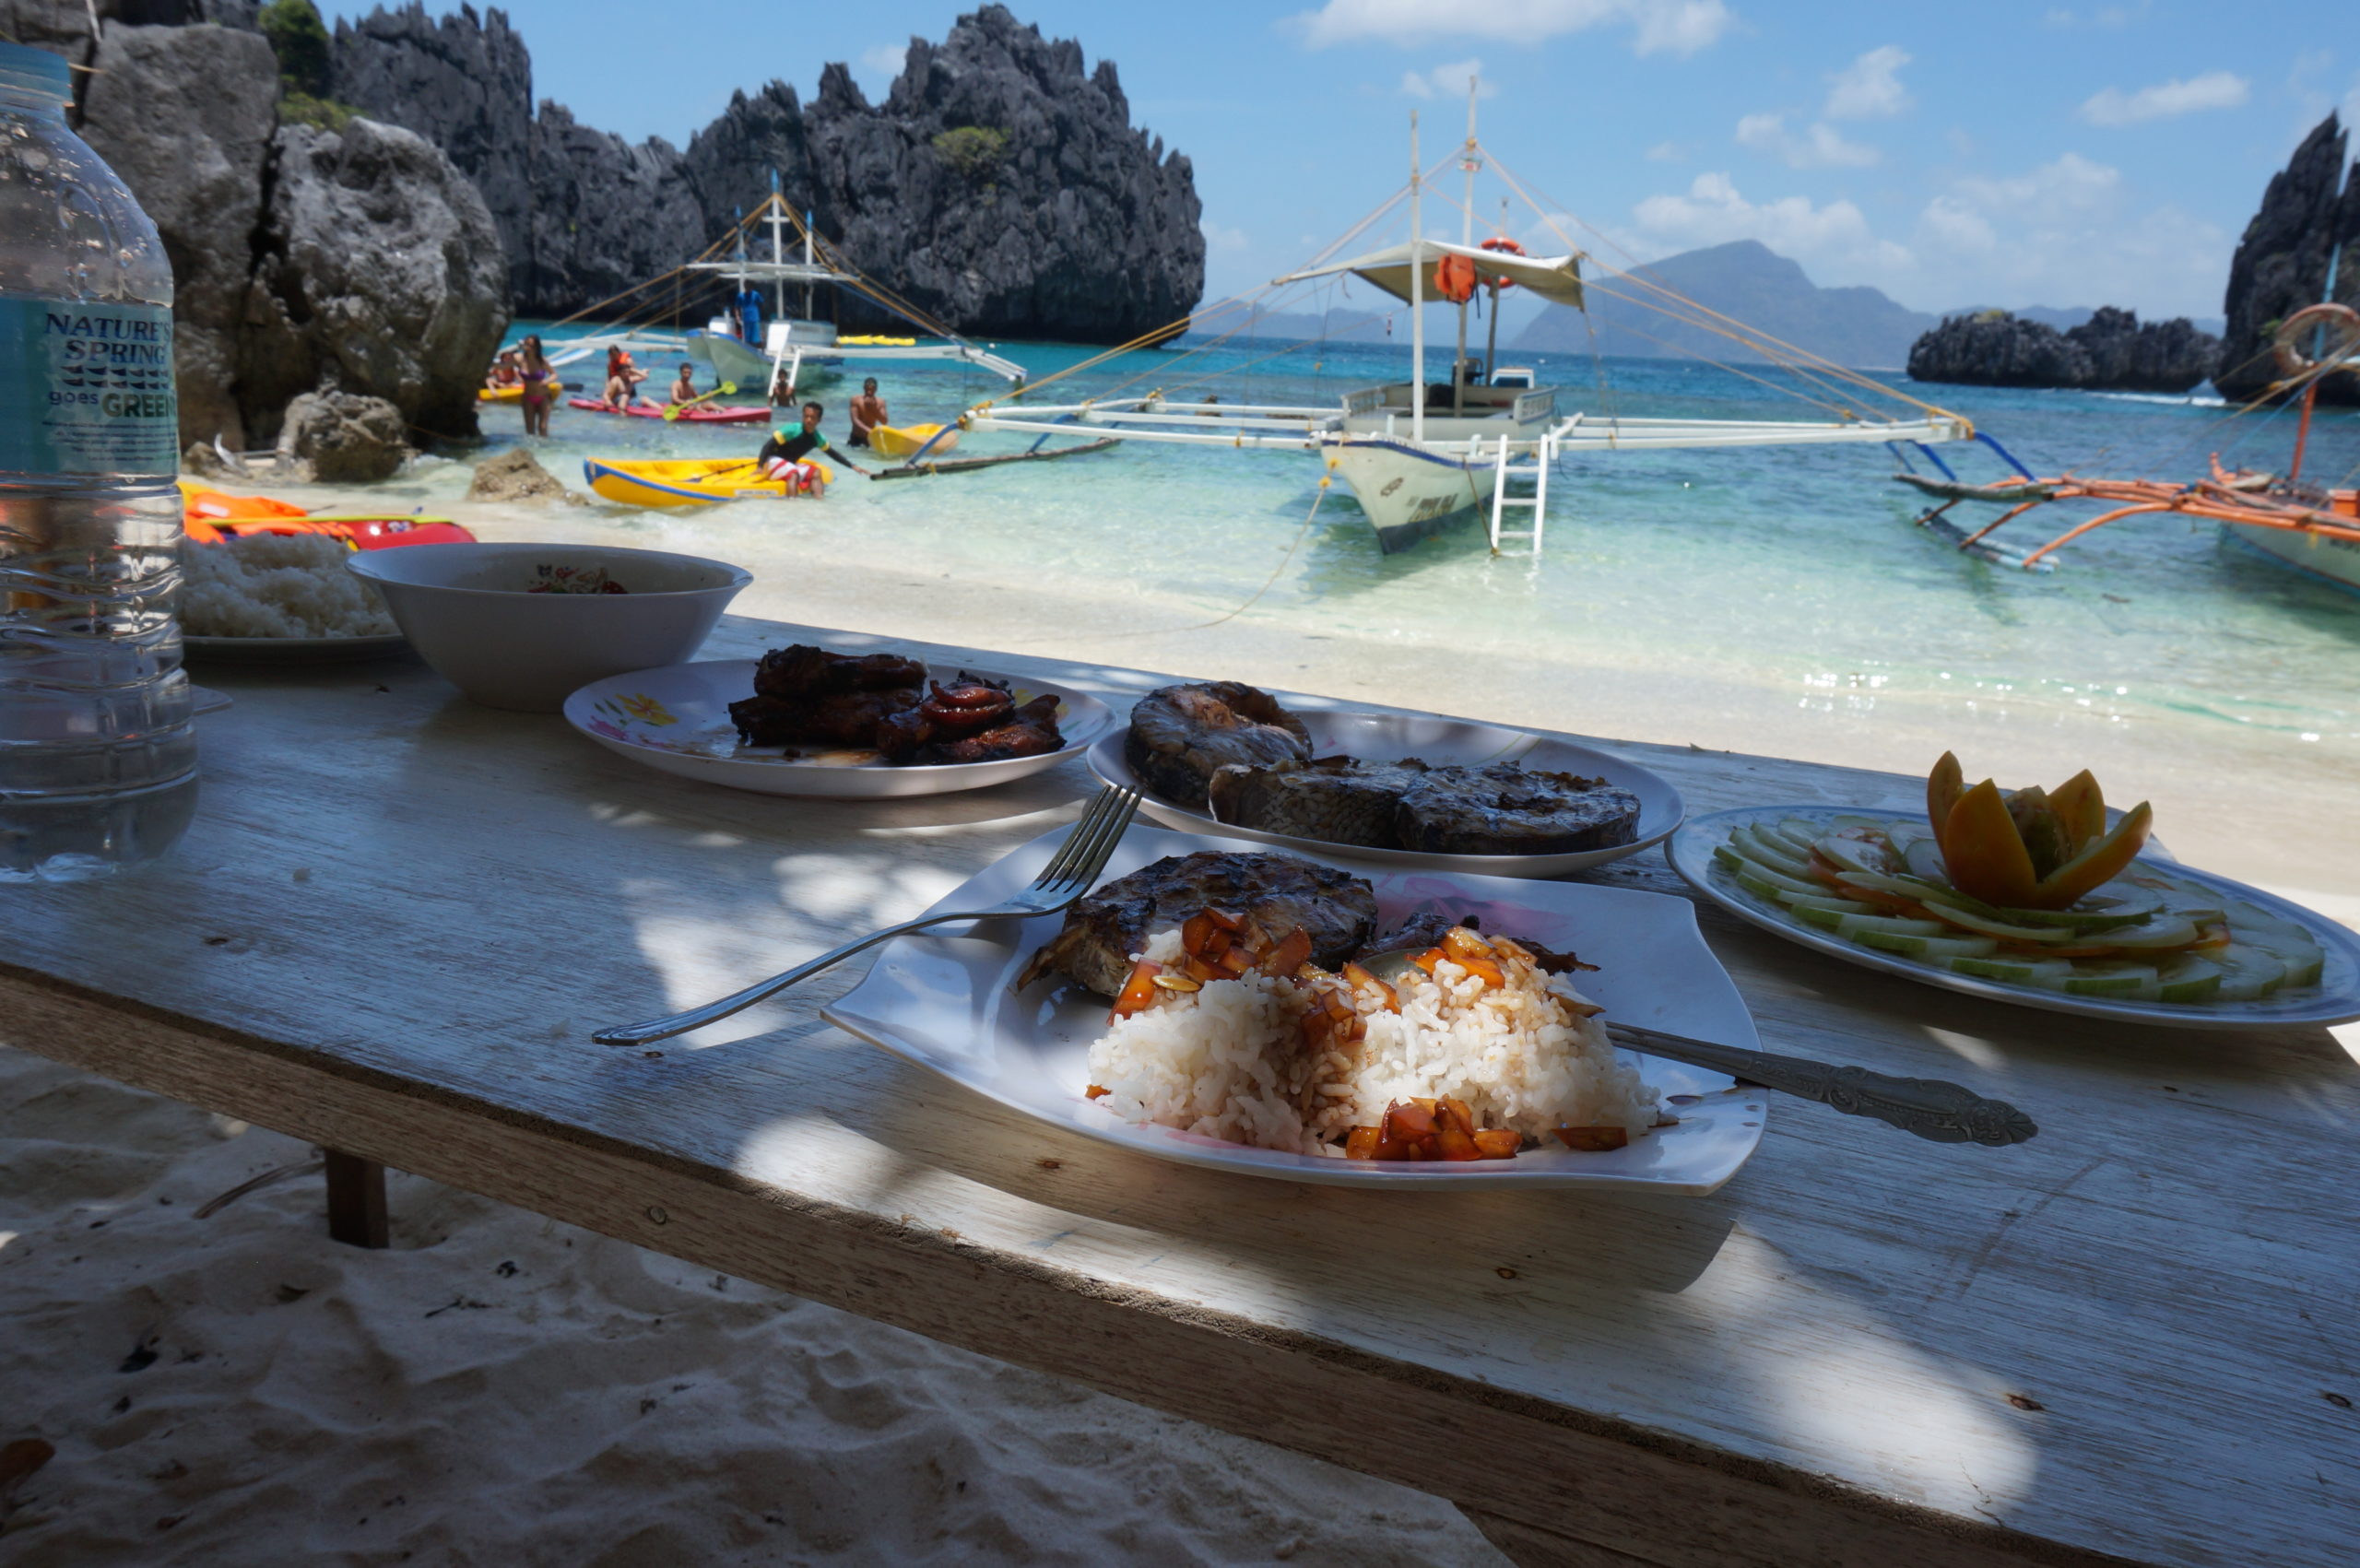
[{"x": 2130, "y": 1340}]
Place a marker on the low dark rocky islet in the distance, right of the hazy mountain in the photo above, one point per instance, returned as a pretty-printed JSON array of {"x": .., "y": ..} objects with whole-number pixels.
[{"x": 2109, "y": 353}]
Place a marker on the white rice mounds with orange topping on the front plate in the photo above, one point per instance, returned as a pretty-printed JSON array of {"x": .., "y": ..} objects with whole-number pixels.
[{"x": 1228, "y": 1061}]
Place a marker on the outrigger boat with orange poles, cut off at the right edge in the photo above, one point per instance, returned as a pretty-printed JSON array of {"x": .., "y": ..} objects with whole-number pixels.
[{"x": 2314, "y": 530}]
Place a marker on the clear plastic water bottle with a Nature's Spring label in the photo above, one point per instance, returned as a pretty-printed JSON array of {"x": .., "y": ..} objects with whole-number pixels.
[{"x": 98, "y": 759}]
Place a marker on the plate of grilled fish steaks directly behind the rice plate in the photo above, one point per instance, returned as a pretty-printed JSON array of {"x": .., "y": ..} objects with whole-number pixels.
[{"x": 1384, "y": 788}]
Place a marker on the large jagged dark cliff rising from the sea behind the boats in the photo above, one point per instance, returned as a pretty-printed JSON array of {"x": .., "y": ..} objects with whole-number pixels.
[{"x": 1002, "y": 185}]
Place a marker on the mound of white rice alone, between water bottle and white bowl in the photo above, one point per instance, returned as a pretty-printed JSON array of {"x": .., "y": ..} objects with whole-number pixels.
[{"x": 277, "y": 587}]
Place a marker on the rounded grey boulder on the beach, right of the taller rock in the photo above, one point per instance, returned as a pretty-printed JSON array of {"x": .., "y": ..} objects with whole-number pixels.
[{"x": 376, "y": 273}]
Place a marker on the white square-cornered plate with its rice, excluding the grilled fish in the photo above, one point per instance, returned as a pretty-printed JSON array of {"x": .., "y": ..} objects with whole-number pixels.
[{"x": 1233, "y": 1073}]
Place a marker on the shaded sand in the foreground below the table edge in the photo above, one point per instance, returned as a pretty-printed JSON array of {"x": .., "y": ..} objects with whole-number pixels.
[{"x": 506, "y": 1390}]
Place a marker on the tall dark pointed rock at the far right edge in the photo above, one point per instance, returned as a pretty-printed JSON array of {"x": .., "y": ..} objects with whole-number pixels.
[{"x": 2307, "y": 218}]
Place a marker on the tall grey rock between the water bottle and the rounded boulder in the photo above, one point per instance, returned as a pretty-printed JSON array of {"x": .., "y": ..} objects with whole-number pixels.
[{"x": 185, "y": 115}]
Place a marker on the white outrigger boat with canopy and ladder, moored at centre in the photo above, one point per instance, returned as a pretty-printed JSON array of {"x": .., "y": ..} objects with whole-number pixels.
[{"x": 1420, "y": 455}]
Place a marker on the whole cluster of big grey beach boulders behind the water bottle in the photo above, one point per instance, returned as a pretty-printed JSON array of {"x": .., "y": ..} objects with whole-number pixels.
[{"x": 303, "y": 261}]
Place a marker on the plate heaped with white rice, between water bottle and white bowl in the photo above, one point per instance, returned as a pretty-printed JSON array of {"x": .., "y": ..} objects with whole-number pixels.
[{"x": 280, "y": 599}]
